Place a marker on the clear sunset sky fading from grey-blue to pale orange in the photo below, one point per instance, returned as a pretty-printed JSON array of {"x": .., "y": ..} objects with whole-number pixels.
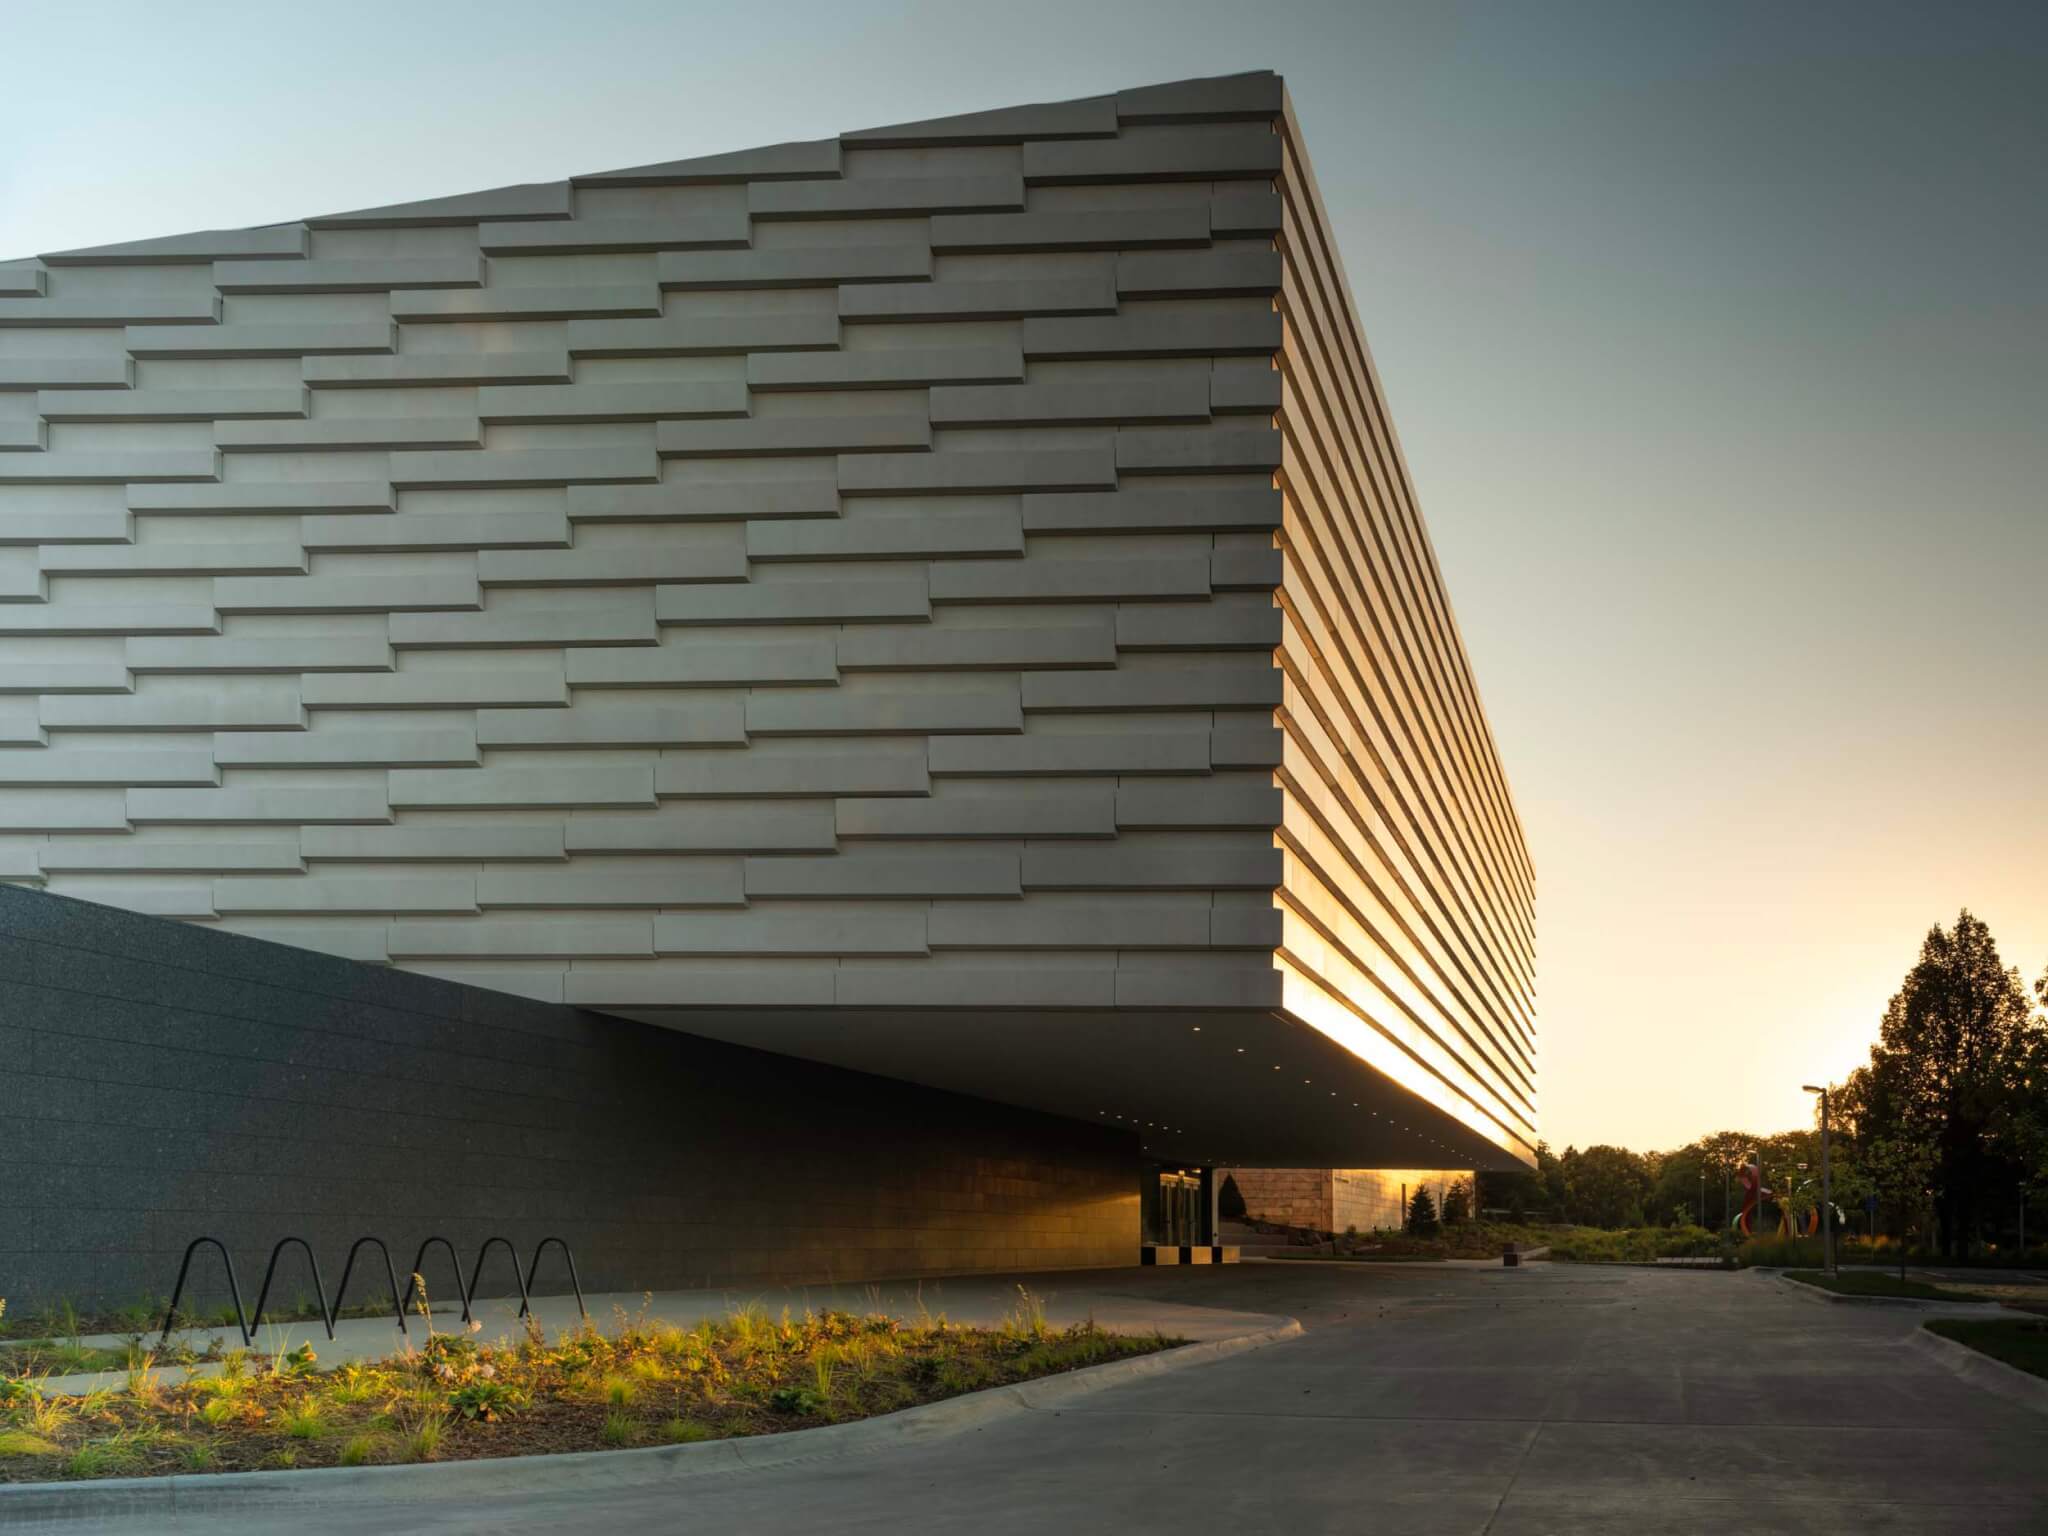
[{"x": 1717, "y": 339}]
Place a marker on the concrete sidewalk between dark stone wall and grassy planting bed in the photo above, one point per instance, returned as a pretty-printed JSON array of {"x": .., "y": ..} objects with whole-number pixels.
[{"x": 980, "y": 1302}]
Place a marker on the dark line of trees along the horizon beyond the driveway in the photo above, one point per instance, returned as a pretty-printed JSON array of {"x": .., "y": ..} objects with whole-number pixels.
[{"x": 1938, "y": 1140}]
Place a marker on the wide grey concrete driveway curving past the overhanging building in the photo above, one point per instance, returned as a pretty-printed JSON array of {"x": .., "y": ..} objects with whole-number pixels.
[{"x": 1420, "y": 1400}]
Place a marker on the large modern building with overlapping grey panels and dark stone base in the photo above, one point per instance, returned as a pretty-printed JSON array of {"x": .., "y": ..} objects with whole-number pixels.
[{"x": 941, "y": 603}]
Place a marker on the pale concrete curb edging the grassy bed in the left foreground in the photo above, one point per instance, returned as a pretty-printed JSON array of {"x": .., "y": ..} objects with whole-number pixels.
[{"x": 196, "y": 1494}]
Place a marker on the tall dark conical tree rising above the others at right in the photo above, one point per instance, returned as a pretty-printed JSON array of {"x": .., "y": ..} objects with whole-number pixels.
[{"x": 1947, "y": 1072}]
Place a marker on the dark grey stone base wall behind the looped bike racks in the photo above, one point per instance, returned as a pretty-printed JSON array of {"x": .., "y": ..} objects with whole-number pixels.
[{"x": 161, "y": 1082}]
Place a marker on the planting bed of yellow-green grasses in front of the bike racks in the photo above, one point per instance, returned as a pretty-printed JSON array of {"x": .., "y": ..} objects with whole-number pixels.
[{"x": 642, "y": 1383}]
